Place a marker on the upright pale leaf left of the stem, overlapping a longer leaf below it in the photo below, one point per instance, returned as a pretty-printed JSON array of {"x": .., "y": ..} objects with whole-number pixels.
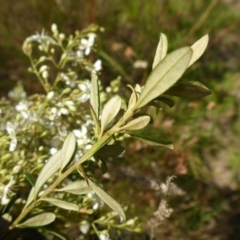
[{"x": 68, "y": 150}]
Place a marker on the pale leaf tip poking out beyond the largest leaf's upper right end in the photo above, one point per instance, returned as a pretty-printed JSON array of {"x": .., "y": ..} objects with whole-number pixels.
[{"x": 198, "y": 49}]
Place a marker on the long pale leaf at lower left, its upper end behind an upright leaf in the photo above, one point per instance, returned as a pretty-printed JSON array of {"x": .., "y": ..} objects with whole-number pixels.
[{"x": 48, "y": 170}]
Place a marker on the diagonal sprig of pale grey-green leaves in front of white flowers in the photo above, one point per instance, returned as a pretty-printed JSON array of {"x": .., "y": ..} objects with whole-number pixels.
[{"x": 167, "y": 70}]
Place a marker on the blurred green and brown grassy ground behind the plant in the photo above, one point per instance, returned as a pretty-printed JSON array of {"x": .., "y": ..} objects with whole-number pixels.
[{"x": 205, "y": 132}]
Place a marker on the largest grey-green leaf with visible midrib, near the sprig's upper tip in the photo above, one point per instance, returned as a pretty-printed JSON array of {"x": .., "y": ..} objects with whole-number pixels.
[{"x": 164, "y": 75}]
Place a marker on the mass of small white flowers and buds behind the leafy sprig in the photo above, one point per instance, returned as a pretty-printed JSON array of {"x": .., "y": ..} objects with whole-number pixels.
[{"x": 33, "y": 127}]
